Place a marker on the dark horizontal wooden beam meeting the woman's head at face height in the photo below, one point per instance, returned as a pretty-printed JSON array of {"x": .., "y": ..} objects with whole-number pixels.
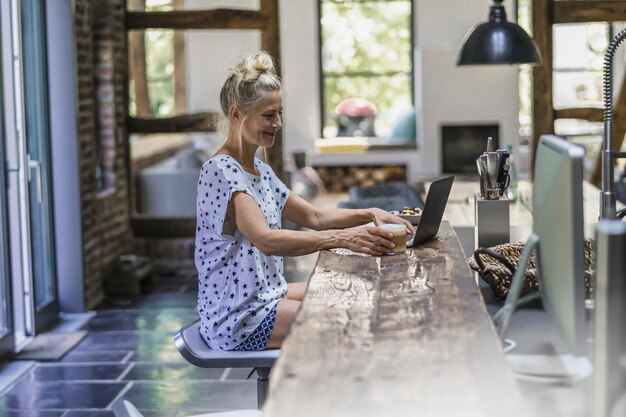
[{"x": 198, "y": 122}]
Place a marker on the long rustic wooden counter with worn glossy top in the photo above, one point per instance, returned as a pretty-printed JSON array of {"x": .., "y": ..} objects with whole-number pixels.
[{"x": 404, "y": 335}]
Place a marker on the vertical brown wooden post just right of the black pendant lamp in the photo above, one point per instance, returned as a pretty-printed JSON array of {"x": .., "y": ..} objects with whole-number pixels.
[{"x": 543, "y": 110}]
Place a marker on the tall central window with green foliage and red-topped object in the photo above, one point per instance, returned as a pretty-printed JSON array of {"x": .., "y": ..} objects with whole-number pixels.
[{"x": 367, "y": 69}]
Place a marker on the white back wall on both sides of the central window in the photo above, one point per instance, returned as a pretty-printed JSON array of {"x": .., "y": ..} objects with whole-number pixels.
[{"x": 445, "y": 93}]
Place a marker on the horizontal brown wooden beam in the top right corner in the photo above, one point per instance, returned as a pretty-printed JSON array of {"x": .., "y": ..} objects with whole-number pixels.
[{"x": 588, "y": 11}]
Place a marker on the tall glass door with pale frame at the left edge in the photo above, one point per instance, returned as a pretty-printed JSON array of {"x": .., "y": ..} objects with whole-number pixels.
[{"x": 27, "y": 153}]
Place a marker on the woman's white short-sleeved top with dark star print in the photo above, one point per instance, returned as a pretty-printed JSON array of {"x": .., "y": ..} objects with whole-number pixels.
[{"x": 237, "y": 284}]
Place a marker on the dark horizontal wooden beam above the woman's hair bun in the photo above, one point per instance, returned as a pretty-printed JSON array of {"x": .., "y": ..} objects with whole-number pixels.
[{"x": 196, "y": 19}]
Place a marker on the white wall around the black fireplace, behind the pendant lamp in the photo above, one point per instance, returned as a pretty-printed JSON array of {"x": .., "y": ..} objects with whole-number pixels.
[{"x": 451, "y": 94}]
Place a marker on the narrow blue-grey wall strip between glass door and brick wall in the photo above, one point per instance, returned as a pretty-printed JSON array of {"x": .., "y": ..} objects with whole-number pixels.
[{"x": 65, "y": 156}]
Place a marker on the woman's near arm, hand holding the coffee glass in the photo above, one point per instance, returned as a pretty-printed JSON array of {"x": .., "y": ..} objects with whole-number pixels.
[{"x": 251, "y": 222}]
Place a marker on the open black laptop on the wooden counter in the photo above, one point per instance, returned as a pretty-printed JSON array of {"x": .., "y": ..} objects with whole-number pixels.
[{"x": 436, "y": 201}]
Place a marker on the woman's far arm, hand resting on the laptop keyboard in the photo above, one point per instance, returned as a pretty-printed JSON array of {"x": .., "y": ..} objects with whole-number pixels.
[{"x": 304, "y": 214}]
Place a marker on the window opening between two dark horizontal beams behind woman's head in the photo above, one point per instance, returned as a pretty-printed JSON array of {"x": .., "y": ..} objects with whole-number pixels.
[{"x": 178, "y": 73}]
